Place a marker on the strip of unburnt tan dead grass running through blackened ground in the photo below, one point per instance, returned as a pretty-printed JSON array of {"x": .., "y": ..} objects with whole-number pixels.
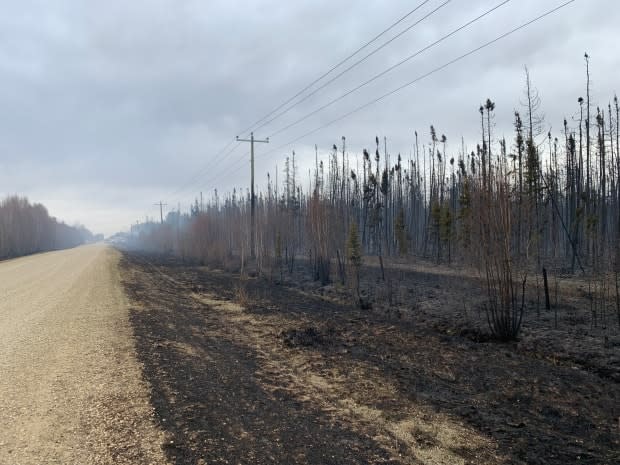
[{"x": 350, "y": 396}]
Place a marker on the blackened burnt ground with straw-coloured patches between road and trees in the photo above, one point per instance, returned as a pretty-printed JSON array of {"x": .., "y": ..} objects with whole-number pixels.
[{"x": 249, "y": 371}]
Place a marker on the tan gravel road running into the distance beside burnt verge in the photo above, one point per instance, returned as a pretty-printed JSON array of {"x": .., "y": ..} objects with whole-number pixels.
[{"x": 71, "y": 389}]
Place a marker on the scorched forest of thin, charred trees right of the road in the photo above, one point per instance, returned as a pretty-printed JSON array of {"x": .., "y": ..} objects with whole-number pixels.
[{"x": 513, "y": 210}]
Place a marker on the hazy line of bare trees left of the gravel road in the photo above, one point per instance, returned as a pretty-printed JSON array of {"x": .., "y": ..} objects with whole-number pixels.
[{"x": 27, "y": 228}]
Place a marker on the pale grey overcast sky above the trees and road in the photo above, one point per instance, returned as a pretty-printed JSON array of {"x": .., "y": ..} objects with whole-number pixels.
[{"x": 108, "y": 107}]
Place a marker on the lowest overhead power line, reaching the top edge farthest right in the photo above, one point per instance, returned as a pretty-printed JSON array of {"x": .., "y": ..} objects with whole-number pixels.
[{"x": 414, "y": 81}]
